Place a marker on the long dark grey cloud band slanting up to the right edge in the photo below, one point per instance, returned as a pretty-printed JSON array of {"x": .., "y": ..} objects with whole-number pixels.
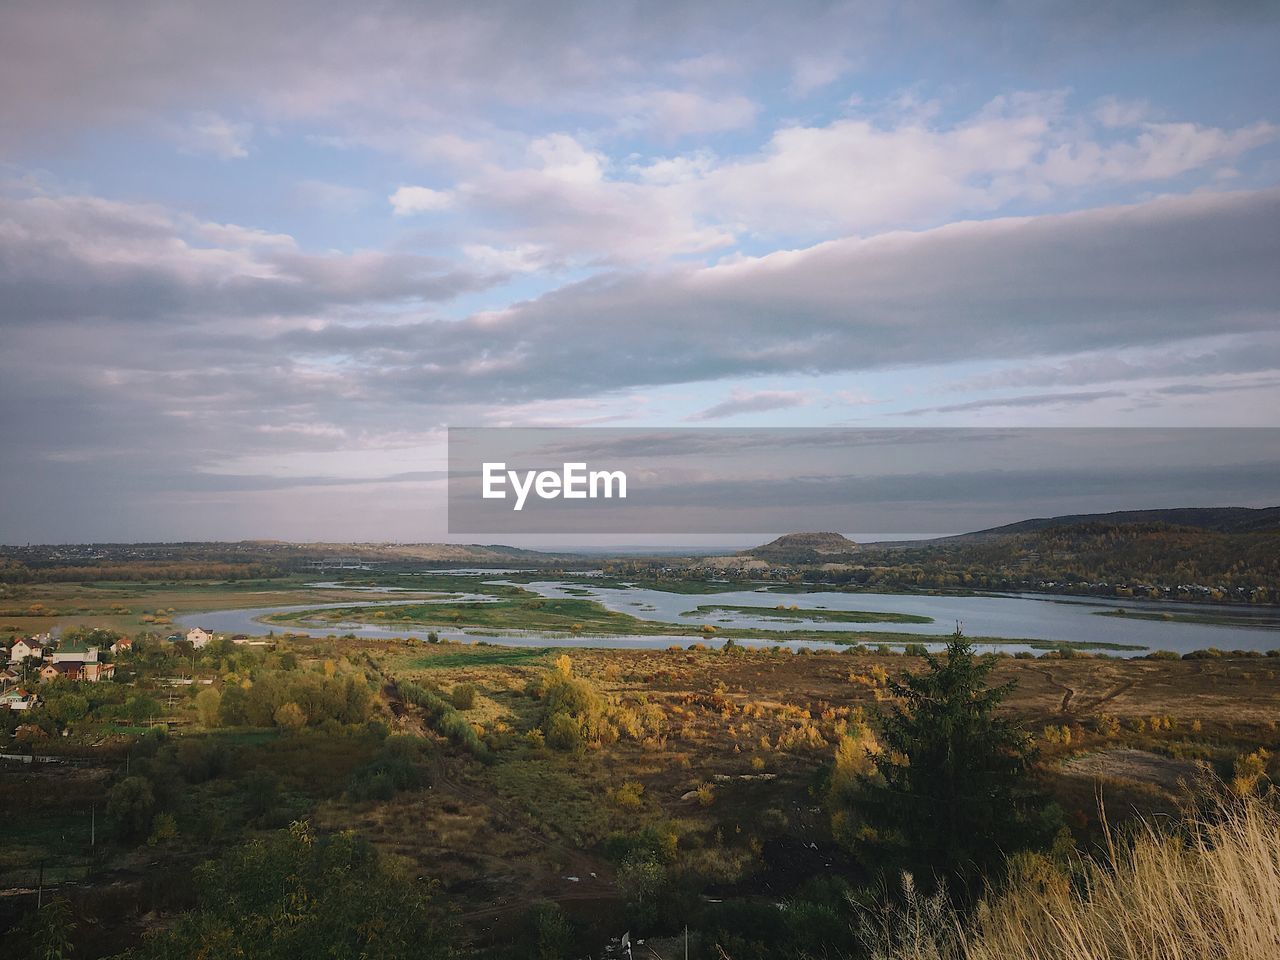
[{"x": 1144, "y": 276}]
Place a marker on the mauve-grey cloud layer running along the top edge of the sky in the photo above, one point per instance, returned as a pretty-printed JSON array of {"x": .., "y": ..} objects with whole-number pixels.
[{"x": 395, "y": 62}]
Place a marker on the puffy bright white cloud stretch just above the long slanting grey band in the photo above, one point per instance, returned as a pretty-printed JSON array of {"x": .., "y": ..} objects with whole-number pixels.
[{"x": 900, "y": 168}]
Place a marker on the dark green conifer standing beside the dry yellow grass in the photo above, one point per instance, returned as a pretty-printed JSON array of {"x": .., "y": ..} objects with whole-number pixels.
[{"x": 947, "y": 798}]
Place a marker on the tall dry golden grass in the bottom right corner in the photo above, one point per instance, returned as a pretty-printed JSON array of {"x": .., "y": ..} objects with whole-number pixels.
[{"x": 1208, "y": 893}]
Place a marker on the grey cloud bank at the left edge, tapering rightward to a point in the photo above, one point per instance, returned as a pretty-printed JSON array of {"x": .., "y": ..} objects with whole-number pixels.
[{"x": 84, "y": 258}]
